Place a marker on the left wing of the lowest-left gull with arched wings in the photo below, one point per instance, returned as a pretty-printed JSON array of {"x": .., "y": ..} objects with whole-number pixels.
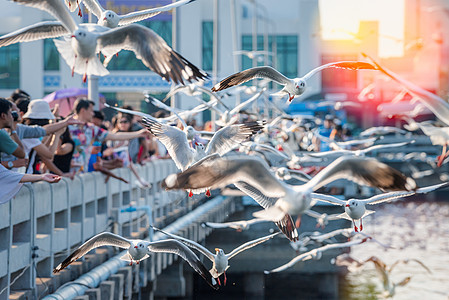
[{"x": 102, "y": 239}]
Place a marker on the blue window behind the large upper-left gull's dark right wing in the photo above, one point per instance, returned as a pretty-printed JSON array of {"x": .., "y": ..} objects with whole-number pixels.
[{"x": 127, "y": 61}]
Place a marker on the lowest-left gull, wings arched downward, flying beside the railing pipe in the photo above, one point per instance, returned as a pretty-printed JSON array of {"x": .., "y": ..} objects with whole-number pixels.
[{"x": 139, "y": 250}]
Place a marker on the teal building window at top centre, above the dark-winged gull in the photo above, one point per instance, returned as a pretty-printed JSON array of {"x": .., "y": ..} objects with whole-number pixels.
[{"x": 286, "y": 48}]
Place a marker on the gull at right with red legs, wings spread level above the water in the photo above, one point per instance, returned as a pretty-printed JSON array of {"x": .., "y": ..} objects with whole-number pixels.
[{"x": 355, "y": 208}]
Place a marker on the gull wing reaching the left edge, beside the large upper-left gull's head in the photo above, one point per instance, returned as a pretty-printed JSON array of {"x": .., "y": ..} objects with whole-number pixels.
[{"x": 38, "y": 31}]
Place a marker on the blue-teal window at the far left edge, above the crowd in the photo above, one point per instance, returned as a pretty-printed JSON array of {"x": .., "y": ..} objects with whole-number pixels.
[{"x": 10, "y": 67}]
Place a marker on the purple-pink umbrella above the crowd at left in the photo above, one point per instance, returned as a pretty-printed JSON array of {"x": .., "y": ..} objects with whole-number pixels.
[{"x": 66, "y": 97}]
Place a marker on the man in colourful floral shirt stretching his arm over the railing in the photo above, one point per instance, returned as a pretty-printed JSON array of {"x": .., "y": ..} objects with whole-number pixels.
[{"x": 86, "y": 135}]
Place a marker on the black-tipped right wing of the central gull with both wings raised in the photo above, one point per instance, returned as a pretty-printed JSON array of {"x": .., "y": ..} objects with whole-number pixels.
[{"x": 228, "y": 137}]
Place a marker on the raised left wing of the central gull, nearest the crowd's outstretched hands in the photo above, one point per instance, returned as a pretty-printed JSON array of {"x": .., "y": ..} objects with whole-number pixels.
[{"x": 174, "y": 139}]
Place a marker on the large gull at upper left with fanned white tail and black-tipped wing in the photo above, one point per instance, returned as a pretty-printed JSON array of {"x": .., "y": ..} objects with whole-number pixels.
[{"x": 80, "y": 52}]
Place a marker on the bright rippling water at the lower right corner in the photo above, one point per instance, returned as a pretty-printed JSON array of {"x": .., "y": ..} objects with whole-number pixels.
[{"x": 418, "y": 230}]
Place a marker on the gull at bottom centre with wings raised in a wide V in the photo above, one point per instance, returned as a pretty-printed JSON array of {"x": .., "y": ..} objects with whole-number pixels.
[{"x": 220, "y": 259}]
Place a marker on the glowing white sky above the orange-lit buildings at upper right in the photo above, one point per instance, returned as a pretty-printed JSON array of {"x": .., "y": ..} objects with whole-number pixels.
[{"x": 338, "y": 16}]
